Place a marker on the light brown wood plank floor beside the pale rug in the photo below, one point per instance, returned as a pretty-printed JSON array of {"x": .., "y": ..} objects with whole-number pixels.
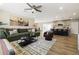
[{"x": 64, "y": 46}]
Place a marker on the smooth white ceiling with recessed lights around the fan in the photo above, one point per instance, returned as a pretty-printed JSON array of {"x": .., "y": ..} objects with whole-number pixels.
[{"x": 50, "y": 11}]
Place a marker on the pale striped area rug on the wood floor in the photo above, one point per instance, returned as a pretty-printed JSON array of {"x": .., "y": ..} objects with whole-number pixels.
[{"x": 41, "y": 47}]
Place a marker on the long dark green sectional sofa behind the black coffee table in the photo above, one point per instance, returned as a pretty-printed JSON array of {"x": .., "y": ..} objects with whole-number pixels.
[{"x": 18, "y": 35}]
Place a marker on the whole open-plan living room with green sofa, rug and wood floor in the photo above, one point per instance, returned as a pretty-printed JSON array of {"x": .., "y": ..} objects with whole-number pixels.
[{"x": 39, "y": 28}]
